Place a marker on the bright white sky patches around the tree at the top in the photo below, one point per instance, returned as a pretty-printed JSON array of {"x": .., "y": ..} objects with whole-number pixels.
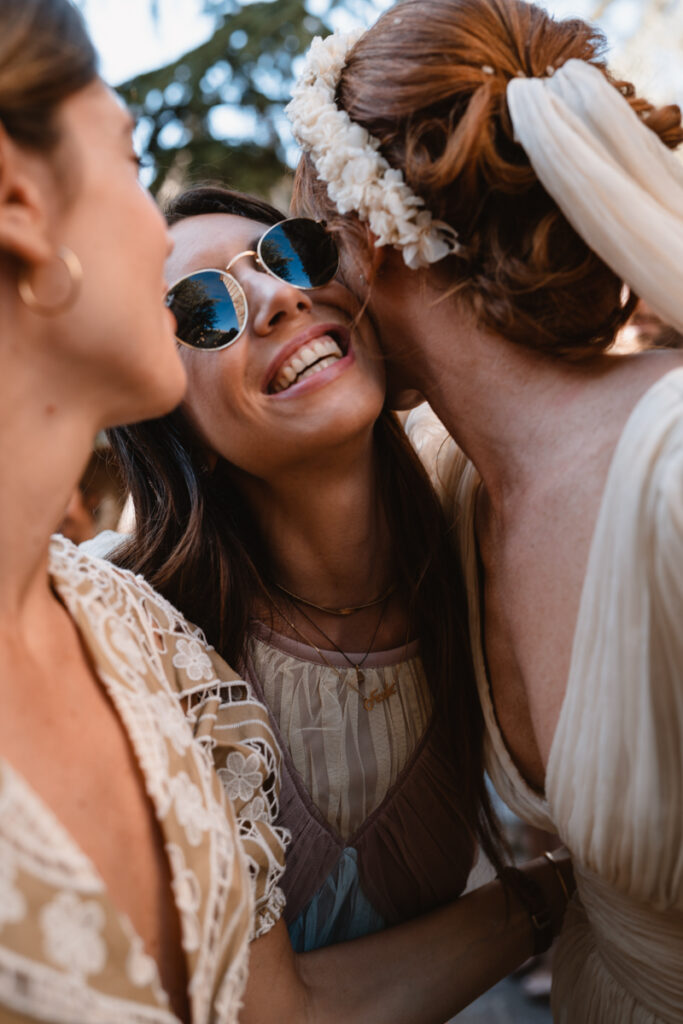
[{"x": 130, "y": 41}]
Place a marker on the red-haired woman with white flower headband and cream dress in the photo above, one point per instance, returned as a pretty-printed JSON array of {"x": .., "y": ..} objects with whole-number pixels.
[{"x": 509, "y": 198}]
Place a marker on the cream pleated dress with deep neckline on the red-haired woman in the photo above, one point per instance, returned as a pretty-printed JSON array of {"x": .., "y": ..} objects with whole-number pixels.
[{"x": 615, "y": 776}]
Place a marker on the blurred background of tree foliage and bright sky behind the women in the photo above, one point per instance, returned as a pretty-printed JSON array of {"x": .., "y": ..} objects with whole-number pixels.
[{"x": 208, "y": 79}]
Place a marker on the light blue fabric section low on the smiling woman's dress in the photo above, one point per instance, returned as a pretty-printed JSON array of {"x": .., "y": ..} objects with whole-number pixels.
[{"x": 338, "y": 912}]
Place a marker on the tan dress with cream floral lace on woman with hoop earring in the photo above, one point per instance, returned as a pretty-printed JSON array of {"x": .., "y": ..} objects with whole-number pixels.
[{"x": 67, "y": 955}]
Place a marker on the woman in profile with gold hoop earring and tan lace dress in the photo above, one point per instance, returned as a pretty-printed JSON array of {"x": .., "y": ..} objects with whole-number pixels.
[{"x": 125, "y": 892}]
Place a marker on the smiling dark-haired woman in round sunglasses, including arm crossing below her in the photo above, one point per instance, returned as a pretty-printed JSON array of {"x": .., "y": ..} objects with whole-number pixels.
[{"x": 282, "y": 509}]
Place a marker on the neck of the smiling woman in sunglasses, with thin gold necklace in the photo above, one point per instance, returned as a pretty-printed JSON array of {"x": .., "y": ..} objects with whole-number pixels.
[{"x": 328, "y": 542}]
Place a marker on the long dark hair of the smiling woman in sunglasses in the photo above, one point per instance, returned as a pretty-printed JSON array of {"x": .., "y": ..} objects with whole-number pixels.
[{"x": 197, "y": 542}]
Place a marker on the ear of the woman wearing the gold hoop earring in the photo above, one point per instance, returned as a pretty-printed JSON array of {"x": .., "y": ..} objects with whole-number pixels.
[{"x": 24, "y": 221}]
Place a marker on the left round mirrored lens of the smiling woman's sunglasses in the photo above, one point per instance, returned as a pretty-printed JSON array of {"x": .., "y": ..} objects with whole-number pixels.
[{"x": 209, "y": 309}]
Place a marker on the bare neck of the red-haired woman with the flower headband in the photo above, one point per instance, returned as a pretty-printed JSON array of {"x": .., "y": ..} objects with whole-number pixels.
[{"x": 516, "y": 412}]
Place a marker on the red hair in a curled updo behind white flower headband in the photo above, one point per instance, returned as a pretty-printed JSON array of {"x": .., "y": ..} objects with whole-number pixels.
[{"x": 417, "y": 82}]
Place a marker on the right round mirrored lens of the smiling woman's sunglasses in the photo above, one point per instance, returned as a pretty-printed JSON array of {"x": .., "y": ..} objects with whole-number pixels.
[{"x": 301, "y": 252}]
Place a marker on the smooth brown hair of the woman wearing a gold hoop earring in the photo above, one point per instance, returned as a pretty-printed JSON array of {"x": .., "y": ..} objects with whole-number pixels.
[{"x": 46, "y": 57}]
